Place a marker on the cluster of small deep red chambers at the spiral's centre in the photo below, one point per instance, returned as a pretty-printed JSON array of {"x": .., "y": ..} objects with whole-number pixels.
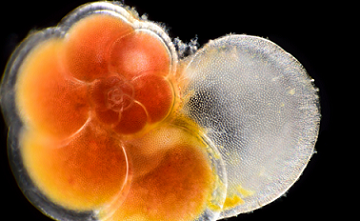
[{"x": 129, "y": 105}]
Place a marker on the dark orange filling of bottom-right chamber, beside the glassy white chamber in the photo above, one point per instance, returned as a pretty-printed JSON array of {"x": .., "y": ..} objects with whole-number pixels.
[{"x": 177, "y": 189}]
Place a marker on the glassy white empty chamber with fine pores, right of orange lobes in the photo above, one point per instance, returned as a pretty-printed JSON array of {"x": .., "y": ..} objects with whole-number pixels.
[{"x": 258, "y": 105}]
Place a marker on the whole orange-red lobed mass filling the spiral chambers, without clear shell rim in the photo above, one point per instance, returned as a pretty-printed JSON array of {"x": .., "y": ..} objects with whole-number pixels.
[{"x": 82, "y": 97}]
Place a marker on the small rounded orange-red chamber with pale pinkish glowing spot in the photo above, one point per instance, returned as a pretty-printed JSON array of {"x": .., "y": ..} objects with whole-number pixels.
[{"x": 138, "y": 53}]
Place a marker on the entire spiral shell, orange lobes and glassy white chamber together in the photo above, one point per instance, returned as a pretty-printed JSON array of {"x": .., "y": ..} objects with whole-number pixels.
[{"x": 107, "y": 123}]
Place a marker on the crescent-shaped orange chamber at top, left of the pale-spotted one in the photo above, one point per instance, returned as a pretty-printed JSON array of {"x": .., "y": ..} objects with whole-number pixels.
[{"x": 88, "y": 45}]
